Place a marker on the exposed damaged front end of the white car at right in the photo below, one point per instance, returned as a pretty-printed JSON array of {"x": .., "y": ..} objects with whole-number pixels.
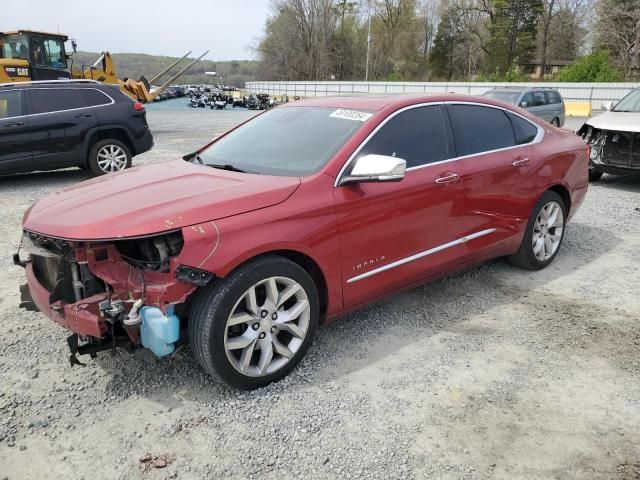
[{"x": 616, "y": 152}]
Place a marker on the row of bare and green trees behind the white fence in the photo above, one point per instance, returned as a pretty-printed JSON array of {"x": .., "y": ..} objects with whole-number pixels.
[{"x": 429, "y": 40}]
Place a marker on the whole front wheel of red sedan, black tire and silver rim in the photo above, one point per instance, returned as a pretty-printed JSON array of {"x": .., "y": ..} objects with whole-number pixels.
[{"x": 253, "y": 327}]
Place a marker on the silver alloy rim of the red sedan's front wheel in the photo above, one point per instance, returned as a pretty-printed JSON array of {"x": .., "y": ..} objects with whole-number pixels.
[{"x": 267, "y": 326}]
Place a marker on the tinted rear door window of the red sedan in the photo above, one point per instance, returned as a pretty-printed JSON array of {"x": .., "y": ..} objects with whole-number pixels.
[{"x": 478, "y": 129}]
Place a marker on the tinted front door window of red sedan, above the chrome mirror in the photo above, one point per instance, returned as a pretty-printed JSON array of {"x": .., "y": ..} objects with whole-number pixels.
[{"x": 417, "y": 135}]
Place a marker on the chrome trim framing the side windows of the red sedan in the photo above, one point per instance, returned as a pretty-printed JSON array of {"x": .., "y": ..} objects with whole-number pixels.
[{"x": 537, "y": 139}]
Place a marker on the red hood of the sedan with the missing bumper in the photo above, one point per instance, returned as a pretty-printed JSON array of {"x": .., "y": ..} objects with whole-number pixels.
[{"x": 152, "y": 199}]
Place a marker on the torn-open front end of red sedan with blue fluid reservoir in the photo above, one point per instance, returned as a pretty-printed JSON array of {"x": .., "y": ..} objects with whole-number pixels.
[{"x": 118, "y": 293}]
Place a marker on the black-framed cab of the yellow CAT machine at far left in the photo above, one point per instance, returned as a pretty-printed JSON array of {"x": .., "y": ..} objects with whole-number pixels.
[{"x": 26, "y": 55}]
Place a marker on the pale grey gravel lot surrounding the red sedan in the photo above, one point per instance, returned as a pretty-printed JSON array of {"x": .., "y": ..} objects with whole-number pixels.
[{"x": 493, "y": 373}]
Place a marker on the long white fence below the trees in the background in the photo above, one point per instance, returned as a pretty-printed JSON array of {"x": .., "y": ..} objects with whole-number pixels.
[{"x": 597, "y": 93}]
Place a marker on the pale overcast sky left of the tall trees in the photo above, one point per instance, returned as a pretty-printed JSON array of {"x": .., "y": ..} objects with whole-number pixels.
[{"x": 228, "y": 28}]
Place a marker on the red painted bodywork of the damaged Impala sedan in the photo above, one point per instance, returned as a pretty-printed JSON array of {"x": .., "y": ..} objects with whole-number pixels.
[{"x": 228, "y": 218}]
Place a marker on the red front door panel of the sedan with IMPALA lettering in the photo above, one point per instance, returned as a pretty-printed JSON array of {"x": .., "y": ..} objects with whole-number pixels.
[{"x": 381, "y": 223}]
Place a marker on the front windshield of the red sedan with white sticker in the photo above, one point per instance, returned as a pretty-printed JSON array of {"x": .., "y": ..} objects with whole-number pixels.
[{"x": 291, "y": 141}]
